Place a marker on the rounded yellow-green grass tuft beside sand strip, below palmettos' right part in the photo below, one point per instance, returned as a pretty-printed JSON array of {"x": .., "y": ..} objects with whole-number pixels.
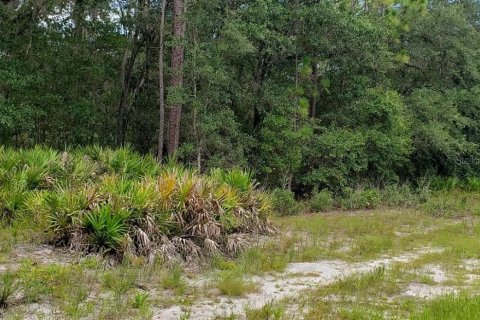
[{"x": 233, "y": 283}]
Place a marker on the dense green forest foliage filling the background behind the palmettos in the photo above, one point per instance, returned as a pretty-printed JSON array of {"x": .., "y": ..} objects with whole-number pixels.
[{"x": 311, "y": 94}]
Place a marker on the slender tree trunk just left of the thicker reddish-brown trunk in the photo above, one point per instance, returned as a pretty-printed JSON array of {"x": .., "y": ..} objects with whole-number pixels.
[{"x": 161, "y": 88}]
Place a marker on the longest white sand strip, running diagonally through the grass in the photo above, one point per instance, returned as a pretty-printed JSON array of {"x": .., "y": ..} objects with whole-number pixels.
[{"x": 296, "y": 278}]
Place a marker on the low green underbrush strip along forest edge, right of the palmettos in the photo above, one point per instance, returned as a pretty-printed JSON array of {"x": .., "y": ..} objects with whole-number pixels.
[{"x": 440, "y": 197}]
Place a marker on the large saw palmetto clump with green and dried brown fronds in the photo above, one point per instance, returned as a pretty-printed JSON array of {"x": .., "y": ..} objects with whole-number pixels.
[{"x": 118, "y": 202}]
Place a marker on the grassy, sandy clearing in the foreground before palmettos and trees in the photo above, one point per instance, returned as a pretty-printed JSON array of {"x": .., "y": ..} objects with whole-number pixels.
[{"x": 378, "y": 264}]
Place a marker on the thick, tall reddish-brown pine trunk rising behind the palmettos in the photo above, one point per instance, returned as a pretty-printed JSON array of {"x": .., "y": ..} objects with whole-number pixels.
[{"x": 177, "y": 76}]
